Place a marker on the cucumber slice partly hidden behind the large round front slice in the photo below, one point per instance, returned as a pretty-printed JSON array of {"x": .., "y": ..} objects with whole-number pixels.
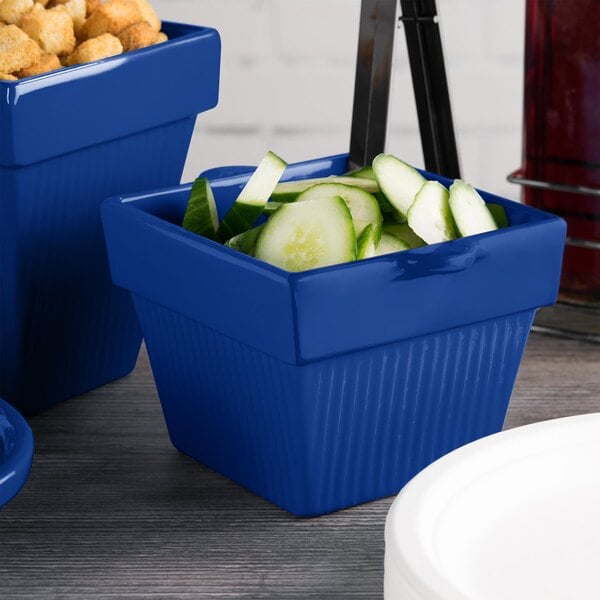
[{"x": 363, "y": 206}]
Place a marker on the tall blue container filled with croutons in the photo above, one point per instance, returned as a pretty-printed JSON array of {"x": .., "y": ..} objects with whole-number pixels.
[{"x": 69, "y": 139}]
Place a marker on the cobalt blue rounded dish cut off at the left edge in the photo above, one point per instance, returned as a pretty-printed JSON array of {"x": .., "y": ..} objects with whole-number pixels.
[{"x": 16, "y": 452}]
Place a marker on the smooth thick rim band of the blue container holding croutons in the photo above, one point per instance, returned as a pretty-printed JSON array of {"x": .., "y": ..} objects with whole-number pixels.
[{"x": 52, "y": 114}]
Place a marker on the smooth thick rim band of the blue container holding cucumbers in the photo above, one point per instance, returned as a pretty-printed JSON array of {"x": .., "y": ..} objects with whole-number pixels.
[{"x": 288, "y": 315}]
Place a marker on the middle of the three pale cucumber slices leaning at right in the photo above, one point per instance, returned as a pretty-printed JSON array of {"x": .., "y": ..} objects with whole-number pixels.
[{"x": 430, "y": 216}]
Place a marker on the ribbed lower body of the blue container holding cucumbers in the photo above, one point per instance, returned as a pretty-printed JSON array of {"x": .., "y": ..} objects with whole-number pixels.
[{"x": 338, "y": 432}]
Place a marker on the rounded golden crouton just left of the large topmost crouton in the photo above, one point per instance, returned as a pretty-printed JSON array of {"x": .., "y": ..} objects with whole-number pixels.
[{"x": 51, "y": 29}]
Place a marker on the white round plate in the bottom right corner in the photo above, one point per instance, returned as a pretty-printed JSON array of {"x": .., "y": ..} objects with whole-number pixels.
[{"x": 514, "y": 516}]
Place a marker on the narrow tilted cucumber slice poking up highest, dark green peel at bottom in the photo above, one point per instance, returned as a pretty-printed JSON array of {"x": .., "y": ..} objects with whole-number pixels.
[{"x": 252, "y": 199}]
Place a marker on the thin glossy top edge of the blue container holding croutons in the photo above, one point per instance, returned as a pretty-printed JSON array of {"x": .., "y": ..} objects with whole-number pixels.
[{"x": 178, "y": 34}]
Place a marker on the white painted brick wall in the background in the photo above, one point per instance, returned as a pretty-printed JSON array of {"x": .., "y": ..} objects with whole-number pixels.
[{"x": 288, "y": 76}]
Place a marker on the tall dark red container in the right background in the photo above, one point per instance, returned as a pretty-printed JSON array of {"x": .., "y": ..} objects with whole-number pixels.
[{"x": 561, "y": 137}]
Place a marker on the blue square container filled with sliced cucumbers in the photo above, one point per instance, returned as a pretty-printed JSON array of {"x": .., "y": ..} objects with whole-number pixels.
[{"x": 325, "y": 389}]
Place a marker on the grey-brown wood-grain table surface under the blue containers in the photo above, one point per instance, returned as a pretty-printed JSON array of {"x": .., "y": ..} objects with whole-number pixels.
[{"x": 112, "y": 510}]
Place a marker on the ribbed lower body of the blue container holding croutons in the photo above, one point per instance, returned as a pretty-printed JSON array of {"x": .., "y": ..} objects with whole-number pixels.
[{"x": 64, "y": 327}]
